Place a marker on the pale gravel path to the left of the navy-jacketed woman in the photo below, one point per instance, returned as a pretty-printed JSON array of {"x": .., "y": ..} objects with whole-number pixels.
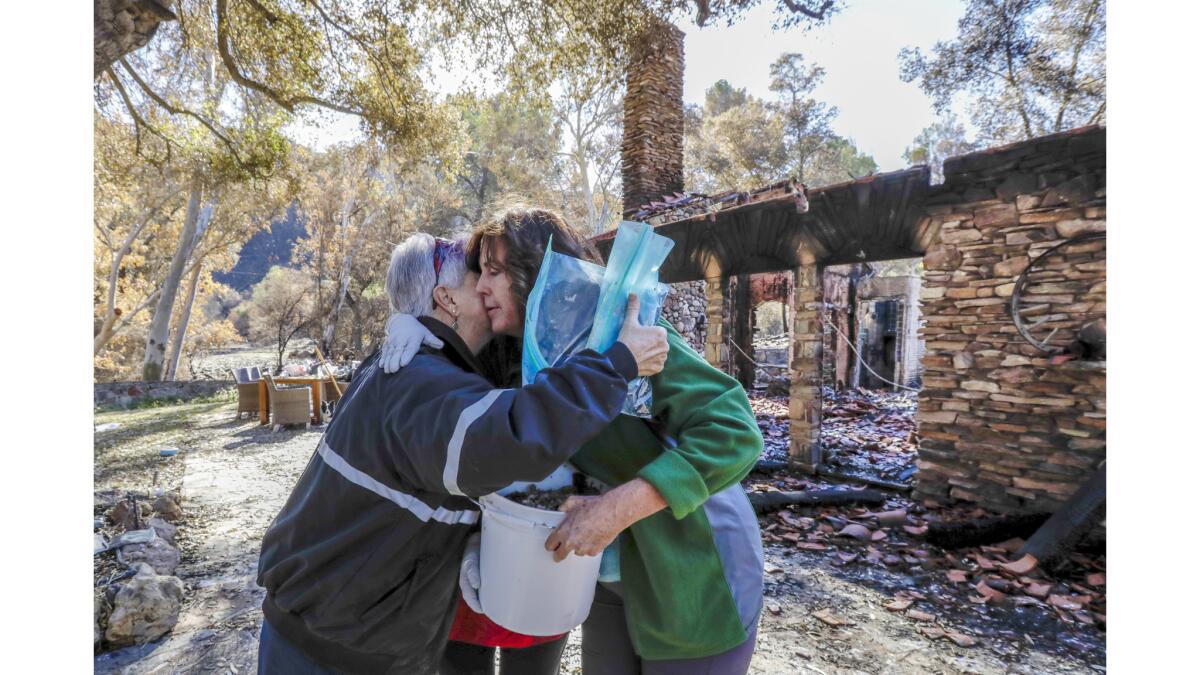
[{"x": 236, "y": 477}]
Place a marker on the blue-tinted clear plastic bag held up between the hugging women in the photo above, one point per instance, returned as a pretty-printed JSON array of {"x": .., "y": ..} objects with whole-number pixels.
[{"x": 575, "y": 304}]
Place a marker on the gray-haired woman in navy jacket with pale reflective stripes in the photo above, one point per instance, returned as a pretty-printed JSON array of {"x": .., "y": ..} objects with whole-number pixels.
[{"x": 362, "y": 565}]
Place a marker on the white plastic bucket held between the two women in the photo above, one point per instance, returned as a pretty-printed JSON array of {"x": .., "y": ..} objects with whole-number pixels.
[{"x": 521, "y": 587}]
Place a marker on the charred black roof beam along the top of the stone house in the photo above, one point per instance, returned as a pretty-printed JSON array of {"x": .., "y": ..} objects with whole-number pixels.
[{"x": 875, "y": 218}]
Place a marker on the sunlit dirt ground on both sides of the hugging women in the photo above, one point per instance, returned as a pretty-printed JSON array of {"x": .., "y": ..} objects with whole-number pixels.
[{"x": 236, "y": 476}]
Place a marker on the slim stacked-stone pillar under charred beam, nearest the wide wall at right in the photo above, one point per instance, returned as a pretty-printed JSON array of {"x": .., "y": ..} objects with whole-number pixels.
[{"x": 805, "y": 408}]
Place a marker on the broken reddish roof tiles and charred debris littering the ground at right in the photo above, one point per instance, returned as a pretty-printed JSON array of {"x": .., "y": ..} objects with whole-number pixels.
[{"x": 889, "y": 542}]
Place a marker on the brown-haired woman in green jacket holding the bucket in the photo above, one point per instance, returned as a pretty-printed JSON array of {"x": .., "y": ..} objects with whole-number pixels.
[{"x": 682, "y": 589}]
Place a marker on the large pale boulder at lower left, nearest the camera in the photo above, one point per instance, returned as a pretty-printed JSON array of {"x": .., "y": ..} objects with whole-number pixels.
[{"x": 146, "y": 608}]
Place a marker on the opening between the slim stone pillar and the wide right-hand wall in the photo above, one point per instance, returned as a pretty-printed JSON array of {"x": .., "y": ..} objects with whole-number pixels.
[{"x": 872, "y": 369}]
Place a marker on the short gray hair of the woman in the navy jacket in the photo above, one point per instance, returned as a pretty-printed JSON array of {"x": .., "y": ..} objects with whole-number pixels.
[{"x": 411, "y": 277}]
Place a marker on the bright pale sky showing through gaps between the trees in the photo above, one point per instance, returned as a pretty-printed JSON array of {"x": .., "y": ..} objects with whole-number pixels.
[{"x": 859, "y": 50}]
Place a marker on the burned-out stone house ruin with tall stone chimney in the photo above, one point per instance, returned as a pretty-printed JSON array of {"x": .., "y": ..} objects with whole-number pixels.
[{"x": 1007, "y": 265}]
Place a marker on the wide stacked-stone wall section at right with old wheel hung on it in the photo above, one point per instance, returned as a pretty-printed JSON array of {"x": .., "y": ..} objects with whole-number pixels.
[{"x": 1000, "y": 426}]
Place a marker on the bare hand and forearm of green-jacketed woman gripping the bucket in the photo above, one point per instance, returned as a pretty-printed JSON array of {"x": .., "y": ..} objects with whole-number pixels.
[{"x": 593, "y": 523}]
